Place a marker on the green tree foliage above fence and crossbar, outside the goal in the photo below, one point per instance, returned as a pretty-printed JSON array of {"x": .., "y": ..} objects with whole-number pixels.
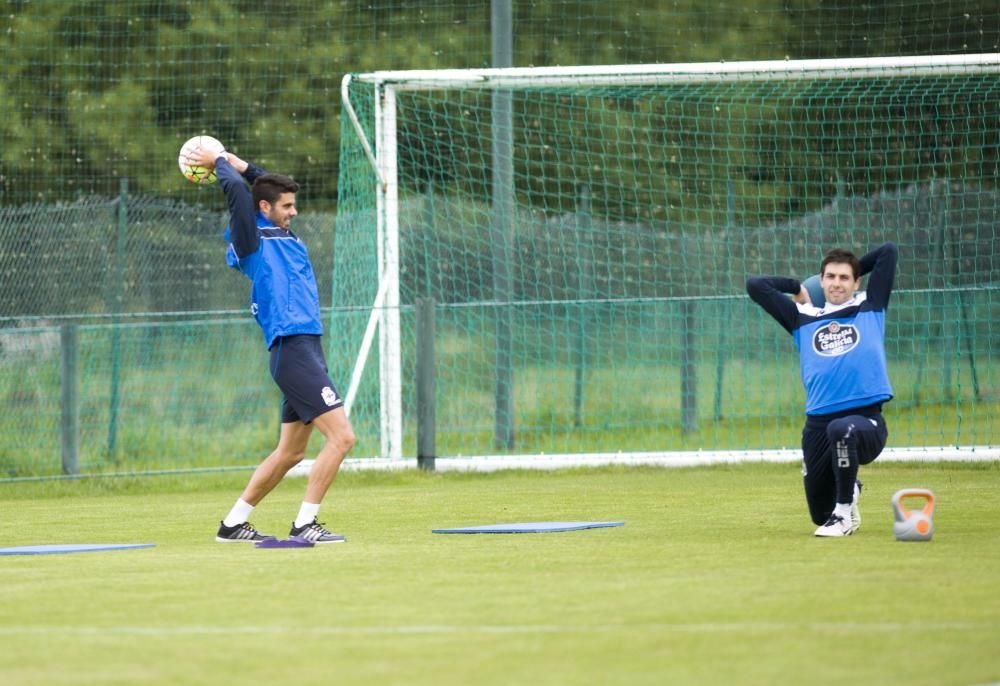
[{"x": 93, "y": 91}]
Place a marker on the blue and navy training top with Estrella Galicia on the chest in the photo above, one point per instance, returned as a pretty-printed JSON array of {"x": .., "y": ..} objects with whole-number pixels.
[{"x": 841, "y": 348}]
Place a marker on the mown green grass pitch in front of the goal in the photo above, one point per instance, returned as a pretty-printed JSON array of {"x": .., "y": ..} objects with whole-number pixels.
[{"x": 715, "y": 579}]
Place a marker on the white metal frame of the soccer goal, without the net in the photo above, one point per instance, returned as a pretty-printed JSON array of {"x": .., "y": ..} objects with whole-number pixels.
[{"x": 382, "y": 152}]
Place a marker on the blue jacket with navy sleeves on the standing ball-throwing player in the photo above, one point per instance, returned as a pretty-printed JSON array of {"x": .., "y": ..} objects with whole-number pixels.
[{"x": 284, "y": 298}]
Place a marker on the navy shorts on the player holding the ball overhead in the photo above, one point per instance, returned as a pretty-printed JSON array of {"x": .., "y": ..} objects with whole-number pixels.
[{"x": 299, "y": 369}]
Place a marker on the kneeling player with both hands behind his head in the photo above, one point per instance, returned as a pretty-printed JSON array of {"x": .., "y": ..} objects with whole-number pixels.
[{"x": 842, "y": 360}]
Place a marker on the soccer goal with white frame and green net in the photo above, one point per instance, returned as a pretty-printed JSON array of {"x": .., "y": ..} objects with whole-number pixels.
[{"x": 581, "y": 237}]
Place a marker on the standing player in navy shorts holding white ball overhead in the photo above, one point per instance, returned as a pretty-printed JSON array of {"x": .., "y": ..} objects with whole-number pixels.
[{"x": 285, "y": 303}]
